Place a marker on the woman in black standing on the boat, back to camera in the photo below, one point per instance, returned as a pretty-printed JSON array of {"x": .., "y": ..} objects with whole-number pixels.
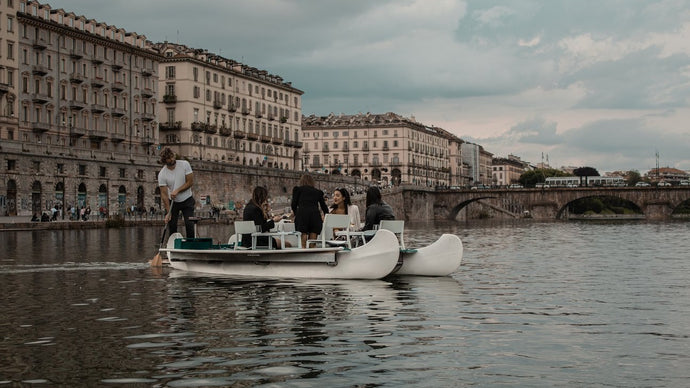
[{"x": 306, "y": 200}]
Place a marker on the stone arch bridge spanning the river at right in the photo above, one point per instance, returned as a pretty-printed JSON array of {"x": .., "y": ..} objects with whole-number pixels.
[{"x": 549, "y": 203}]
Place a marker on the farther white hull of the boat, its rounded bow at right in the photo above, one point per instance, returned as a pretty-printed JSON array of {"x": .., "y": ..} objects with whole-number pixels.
[{"x": 441, "y": 258}]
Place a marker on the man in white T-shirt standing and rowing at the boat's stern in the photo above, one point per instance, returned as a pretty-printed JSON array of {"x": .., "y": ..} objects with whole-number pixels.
[{"x": 175, "y": 180}]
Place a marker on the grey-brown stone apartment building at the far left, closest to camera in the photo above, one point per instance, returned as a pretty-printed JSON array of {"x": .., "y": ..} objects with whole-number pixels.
[{"x": 83, "y": 94}]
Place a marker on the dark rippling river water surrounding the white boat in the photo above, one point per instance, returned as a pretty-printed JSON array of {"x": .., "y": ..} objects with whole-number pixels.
[{"x": 533, "y": 304}]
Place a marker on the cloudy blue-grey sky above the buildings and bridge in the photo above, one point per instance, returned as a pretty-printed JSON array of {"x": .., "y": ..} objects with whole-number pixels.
[{"x": 602, "y": 83}]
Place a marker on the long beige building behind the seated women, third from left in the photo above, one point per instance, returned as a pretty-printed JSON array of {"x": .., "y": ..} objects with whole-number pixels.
[{"x": 384, "y": 148}]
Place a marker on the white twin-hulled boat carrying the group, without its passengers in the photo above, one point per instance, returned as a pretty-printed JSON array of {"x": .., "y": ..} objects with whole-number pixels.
[{"x": 377, "y": 259}]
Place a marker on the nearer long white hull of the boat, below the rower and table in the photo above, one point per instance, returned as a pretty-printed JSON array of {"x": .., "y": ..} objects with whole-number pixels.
[{"x": 374, "y": 260}]
